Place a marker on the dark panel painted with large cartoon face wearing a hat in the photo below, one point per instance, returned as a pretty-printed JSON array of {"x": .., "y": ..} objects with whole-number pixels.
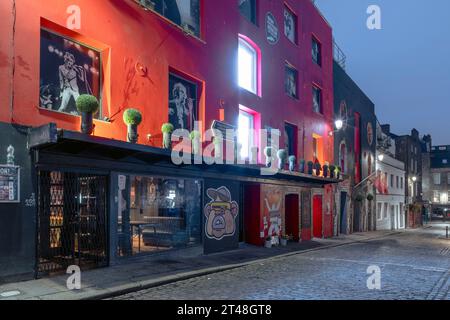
[{"x": 221, "y": 216}]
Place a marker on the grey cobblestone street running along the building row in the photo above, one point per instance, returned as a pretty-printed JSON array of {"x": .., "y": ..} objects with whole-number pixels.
[{"x": 414, "y": 265}]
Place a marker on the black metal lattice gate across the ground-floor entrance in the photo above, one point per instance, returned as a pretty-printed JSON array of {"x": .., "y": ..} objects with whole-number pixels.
[{"x": 72, "y": 225}]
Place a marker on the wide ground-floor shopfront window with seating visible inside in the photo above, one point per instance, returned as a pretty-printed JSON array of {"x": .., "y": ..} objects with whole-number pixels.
[{"x": 163, "y": 214}]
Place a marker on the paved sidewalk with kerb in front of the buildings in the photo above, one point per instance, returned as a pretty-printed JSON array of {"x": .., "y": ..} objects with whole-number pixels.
[{"x": 159, "y": 269}]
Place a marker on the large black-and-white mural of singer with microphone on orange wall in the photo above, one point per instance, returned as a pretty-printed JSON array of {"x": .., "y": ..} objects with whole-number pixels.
[{"x": 68, "y": 69}]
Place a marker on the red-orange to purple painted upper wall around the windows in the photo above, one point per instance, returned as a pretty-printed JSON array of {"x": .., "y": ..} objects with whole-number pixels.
[{"x": 126, "y": 34}]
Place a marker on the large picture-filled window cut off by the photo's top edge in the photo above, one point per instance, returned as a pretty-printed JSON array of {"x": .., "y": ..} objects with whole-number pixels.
[{"x": 185, "y": 13}]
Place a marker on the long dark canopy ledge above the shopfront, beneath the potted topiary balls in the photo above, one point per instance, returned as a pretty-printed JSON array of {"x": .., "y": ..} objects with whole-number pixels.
[{"x": 119, "y": 155}]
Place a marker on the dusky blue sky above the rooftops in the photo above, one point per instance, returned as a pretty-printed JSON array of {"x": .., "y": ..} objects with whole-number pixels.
[{"x": 403, "y": 68}]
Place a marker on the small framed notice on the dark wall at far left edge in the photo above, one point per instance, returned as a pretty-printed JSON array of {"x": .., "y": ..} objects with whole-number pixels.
[{"x": 9, "y": 184}]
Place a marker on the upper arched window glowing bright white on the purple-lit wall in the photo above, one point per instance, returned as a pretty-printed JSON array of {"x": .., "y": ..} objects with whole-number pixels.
[{"x": 247, "y": 66}]
